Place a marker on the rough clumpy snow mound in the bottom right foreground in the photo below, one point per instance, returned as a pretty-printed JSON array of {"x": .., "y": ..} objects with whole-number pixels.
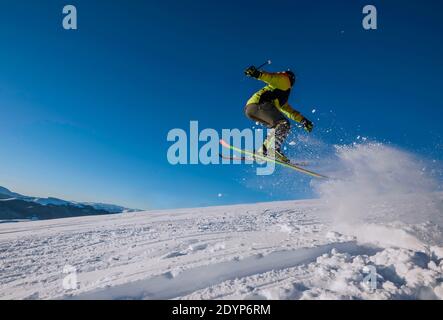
[{"x": 341, "y": 274}]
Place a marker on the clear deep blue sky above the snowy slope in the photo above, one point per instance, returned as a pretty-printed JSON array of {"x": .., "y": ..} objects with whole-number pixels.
[{"x": 85, "y": 114}]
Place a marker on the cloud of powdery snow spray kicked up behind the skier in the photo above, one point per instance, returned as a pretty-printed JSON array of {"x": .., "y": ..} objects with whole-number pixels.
[{"x": 375, "y": 183}]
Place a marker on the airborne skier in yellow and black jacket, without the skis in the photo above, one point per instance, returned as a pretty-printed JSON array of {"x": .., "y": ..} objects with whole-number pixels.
[{"x": 270, "y": 107}]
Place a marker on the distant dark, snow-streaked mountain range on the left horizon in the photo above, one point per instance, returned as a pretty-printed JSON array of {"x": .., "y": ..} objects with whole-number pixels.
[{"x": 15, "y": 206}]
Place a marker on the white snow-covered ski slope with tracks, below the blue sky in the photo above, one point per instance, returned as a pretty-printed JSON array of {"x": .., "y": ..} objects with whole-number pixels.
[{"x": 282, "y": 250}]
